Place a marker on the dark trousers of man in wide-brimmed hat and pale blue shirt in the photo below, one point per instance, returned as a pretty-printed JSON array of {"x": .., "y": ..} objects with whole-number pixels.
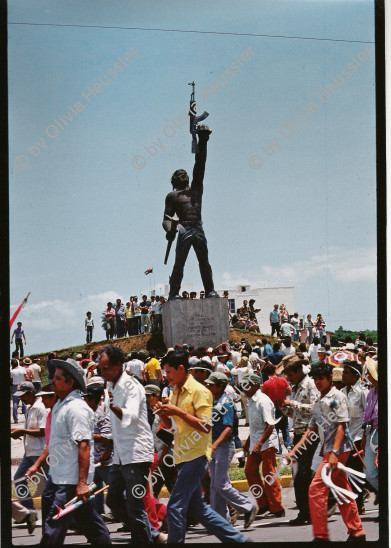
[{"x": 86, "y": 518}]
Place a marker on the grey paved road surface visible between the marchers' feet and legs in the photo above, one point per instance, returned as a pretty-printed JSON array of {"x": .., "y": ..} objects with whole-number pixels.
[{"x": 262, "y": 530}]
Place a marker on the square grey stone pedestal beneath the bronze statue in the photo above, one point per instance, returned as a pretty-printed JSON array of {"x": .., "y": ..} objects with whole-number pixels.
[{"x": 200, "y": 322}]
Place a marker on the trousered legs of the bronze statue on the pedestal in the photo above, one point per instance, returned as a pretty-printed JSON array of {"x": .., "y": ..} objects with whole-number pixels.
[{"x": 194, "y": 236}]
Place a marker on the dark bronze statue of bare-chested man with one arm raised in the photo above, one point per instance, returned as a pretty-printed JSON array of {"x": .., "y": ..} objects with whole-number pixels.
[{"x": 186, "y": 201}]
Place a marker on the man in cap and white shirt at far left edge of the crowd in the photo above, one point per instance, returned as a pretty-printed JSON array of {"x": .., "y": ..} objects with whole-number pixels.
[{"x": 34, "y": 441}]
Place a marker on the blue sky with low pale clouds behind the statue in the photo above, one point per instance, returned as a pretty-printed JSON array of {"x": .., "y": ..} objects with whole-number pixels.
[{"x": 290, "y": 185}]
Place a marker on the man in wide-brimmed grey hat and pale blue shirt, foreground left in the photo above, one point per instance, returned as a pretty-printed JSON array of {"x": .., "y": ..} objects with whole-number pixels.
[{"x": 71, "y": 458}]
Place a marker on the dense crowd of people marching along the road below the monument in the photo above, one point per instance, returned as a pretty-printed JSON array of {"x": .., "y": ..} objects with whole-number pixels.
[{"x": 133, "y": 423}]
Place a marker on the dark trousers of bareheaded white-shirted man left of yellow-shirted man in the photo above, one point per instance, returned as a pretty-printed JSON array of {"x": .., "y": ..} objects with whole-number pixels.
[{"x": 130, "y": 477}]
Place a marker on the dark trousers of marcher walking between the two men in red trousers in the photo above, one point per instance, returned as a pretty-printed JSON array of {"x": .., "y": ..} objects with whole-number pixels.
[{"x": 304, "y": 475}]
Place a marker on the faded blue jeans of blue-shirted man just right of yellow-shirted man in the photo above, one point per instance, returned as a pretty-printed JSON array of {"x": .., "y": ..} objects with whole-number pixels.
[{"x": 221, "y": 490}]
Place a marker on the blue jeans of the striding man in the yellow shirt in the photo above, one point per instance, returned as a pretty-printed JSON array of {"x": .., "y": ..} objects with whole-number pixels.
[{"x": 187, "y": 496}]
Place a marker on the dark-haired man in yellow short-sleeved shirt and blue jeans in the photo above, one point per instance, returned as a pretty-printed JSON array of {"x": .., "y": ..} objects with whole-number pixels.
[{"x": 190, "y": 407}]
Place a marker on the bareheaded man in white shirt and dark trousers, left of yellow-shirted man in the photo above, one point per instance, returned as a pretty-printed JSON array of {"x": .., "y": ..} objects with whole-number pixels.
[{"x": 133, "y": 445}]
